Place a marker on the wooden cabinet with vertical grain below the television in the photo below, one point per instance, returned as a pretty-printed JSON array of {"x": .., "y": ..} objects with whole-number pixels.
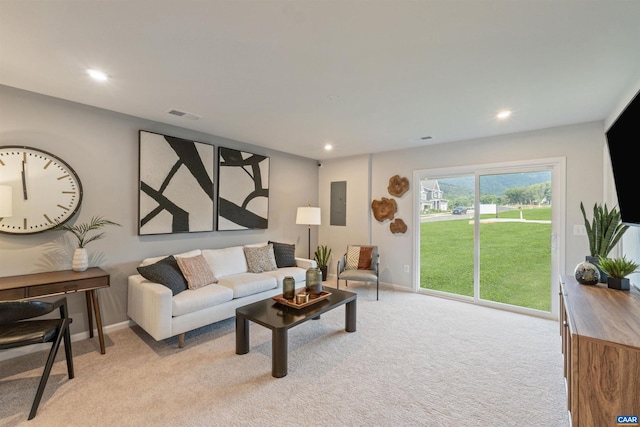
[{"x": 600, "y": 331}]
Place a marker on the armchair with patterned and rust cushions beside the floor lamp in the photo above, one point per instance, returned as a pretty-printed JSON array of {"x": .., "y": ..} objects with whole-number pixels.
[{"x": 361, "y": 264}]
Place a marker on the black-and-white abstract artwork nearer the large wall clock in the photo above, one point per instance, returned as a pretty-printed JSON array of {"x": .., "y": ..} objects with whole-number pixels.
[{"x": 176, "y": 185}]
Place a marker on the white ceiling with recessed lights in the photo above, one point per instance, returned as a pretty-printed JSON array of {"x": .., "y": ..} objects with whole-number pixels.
[{"x": 366, "y": 76}]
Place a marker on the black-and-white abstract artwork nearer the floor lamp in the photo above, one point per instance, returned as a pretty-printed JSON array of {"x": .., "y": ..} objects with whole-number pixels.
[{"x": 243, "y": 190}]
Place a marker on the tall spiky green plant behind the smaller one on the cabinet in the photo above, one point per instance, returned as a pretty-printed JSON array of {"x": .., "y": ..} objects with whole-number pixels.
[{"x": 604, "y": 230}]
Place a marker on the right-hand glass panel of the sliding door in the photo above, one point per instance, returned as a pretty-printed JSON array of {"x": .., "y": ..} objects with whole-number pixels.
[{"x": 515, "y": 239}]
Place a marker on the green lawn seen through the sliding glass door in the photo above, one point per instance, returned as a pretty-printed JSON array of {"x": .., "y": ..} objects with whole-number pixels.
[{"x": 515, "y": 258}]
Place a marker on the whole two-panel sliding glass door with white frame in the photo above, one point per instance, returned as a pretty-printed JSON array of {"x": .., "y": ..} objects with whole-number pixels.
[{"x": 487, "y": 236}]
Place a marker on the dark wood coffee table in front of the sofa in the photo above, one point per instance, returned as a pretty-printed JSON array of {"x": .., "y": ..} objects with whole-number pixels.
[{"x": 280, "y": 318}]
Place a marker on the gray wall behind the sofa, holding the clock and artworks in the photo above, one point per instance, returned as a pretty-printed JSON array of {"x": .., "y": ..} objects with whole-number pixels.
[{"x": 102, "y": 147}]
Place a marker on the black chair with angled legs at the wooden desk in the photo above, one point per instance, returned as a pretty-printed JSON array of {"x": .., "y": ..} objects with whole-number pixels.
[{"x": 17, "y": 331}]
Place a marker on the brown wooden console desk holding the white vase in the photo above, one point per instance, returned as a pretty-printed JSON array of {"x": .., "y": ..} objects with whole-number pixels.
[{"x": 40, "y": 285}]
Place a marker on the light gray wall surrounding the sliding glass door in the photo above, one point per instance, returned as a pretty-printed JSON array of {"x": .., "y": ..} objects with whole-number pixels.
[{"x": 581, "y": 145}]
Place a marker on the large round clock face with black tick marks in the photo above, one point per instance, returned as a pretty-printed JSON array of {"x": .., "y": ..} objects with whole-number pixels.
[{"x": 45, "y": 190}]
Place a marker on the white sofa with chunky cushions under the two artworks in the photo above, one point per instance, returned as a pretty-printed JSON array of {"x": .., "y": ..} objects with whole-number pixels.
[{"x": 155, "y": 308}]
